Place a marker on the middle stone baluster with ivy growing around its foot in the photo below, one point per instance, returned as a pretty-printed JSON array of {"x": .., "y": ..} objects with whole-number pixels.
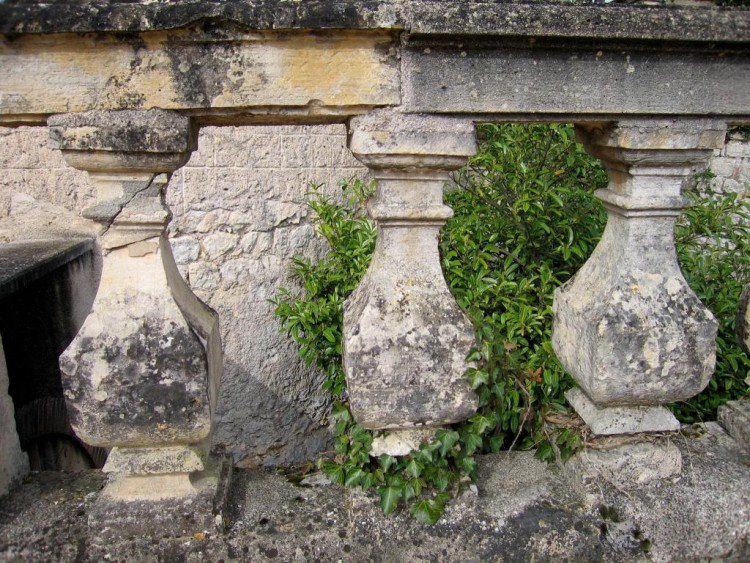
[{"x": 405, "y": 339}]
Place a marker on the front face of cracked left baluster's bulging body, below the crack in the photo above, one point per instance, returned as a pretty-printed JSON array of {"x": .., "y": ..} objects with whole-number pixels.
[{"x": 135, "y": 375}]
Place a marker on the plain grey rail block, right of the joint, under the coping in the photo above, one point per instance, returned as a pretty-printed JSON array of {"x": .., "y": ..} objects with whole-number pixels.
[{"x": 582, "y": 78}]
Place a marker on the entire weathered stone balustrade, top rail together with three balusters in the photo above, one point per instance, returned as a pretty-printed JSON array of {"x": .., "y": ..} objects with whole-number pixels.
[{"x": 651, "y": 90}]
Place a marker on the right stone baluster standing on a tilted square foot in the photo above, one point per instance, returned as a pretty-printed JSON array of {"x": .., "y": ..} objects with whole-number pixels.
[{"x": 627, "y": 326}]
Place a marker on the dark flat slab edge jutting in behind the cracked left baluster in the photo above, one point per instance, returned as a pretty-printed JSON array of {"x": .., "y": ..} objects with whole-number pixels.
[{"x": 23, "y": 262}]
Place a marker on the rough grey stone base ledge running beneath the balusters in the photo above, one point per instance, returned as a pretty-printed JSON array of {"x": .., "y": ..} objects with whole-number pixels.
[{"x": 521, "y": 509}]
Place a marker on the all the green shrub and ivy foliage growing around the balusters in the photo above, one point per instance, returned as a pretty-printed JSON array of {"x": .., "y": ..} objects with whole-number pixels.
[{"x": 525, "y": 221}]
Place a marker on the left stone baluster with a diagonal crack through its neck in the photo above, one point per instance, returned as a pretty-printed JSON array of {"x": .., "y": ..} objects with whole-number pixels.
[{"x": 142, "y": 375}]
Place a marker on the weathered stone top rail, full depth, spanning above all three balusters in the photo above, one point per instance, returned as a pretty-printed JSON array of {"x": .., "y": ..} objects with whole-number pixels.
[{"x": 234, "y": 62}]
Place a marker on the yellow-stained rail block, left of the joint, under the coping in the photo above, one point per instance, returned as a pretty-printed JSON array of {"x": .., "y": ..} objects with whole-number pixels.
[{"x": 186, "y": 70}]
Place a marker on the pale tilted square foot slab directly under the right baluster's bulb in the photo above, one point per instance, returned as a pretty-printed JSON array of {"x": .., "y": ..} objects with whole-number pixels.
[{"x": 621, "y": 420}]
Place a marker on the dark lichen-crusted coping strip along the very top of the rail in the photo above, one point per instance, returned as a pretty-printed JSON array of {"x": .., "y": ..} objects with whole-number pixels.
[{"x": 502, "y": 18}]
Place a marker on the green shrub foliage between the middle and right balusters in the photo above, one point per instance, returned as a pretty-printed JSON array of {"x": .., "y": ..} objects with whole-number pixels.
[{"x": 525, "y": 221}]
